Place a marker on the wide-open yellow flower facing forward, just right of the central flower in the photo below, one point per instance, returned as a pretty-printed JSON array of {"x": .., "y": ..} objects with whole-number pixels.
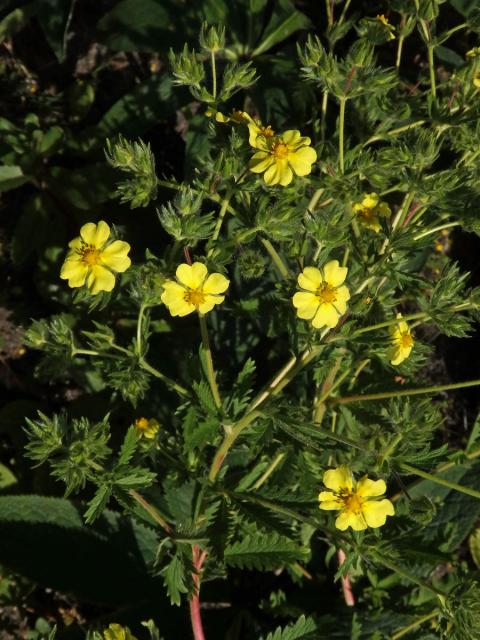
[{"x": 325, "y": 297}]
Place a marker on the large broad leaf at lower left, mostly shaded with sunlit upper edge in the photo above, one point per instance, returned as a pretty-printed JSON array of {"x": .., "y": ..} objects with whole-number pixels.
[{"x": 46, "y": 540}]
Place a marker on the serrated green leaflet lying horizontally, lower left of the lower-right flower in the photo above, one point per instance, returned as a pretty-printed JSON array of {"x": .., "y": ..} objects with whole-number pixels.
[{"x": 262, "y": 551}]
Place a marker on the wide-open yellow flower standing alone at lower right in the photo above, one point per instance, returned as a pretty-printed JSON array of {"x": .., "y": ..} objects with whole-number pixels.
[{"x": 357, "y": 501}]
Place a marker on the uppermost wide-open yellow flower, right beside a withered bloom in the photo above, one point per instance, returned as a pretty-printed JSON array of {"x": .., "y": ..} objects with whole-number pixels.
[{"x": 282, "y": 156}]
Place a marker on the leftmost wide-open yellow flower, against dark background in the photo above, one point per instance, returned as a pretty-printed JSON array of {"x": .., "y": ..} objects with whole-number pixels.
[{"x": 93, "y": 259}]
